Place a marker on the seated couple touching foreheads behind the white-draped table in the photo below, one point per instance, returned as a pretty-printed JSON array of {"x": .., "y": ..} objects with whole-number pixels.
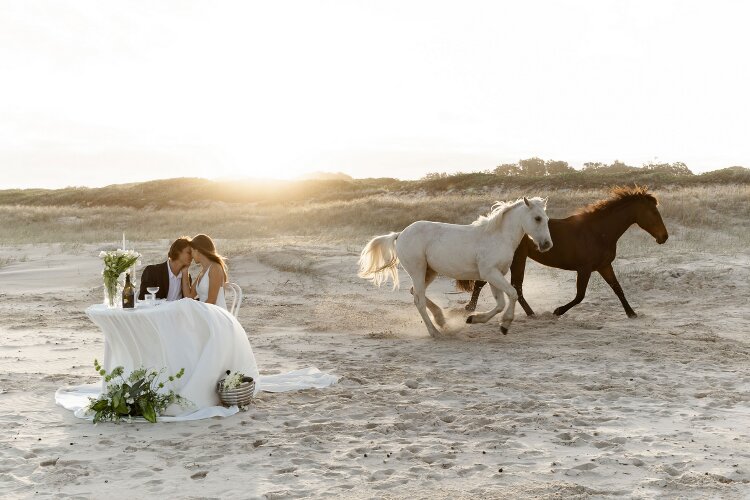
[{"x": 173, "y": 276}]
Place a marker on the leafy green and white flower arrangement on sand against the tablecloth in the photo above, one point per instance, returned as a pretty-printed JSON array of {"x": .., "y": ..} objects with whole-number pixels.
[{"x": 134, "y": 396}]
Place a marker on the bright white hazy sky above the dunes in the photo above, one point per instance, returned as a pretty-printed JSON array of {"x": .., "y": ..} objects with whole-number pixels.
[{"x": 95, "y": 93}]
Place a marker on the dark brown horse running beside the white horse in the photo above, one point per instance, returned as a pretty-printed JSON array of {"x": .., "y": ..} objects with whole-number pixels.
[{"x": 586, "y": 242}]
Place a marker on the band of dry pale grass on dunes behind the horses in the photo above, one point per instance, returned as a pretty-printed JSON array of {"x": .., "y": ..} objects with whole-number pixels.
[{"x": 703, "y": 216}]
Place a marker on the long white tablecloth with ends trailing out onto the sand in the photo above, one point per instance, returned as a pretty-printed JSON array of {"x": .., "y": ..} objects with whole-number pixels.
[{"x": 203, "y": 339}]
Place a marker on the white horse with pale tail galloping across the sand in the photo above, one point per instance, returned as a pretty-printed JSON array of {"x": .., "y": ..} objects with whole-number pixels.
[{"x": 482, "y": 250}]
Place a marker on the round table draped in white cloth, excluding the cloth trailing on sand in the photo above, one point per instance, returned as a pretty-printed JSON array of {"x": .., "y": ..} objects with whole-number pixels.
[{"x": 204, "y": 339}]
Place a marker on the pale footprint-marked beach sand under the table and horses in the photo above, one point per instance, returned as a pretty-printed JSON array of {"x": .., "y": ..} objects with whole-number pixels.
[{"x": 589, "y": 405}]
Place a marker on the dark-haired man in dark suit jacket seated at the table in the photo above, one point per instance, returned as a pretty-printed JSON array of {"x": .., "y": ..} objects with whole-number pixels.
[{"x": 168, "y": 275}]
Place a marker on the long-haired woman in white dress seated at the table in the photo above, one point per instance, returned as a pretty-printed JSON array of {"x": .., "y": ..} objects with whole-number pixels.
[{"x": 209, "y": 285}]
